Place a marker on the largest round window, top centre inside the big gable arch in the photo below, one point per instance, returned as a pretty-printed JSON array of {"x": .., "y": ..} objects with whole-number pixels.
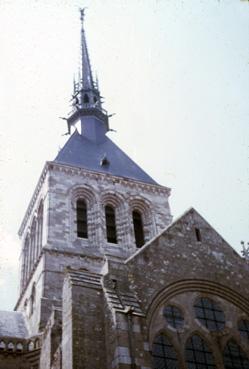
[{"x": 209, "y": 314}]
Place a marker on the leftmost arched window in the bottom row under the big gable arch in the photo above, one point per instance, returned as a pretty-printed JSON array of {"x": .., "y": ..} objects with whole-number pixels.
[{"x": 164, "y": 355}]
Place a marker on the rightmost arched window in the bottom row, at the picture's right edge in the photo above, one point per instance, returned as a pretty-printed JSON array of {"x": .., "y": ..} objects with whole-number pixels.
[{"x": 234, "y": 357}]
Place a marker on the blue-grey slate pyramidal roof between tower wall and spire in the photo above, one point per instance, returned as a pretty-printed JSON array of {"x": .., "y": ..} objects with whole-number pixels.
[{"x": 82, "y": 152}]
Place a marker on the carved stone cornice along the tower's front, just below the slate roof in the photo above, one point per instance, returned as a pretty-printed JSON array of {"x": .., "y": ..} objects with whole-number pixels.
[{"x": 132, "y": 183}]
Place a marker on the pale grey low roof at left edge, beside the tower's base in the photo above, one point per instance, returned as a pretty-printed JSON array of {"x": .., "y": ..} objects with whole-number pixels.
[{"x": 12, "y": 324}]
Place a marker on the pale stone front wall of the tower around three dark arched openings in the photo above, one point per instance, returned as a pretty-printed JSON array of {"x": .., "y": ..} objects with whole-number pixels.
[{"x": 66, "y": 184}]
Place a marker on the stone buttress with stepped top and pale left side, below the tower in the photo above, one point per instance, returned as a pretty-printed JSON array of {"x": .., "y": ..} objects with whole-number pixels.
[{"x": 83, "y": 343}]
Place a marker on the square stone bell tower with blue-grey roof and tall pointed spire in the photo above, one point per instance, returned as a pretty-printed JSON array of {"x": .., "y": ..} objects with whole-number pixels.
[{"x": 91, "y": 203}]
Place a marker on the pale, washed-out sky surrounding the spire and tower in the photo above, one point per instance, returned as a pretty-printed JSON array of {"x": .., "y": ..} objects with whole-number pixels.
[{"x": 176, "y": 73}]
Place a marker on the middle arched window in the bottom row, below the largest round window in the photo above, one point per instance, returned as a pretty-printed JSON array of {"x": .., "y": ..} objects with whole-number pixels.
[{"x": 198, "y": 355}]
